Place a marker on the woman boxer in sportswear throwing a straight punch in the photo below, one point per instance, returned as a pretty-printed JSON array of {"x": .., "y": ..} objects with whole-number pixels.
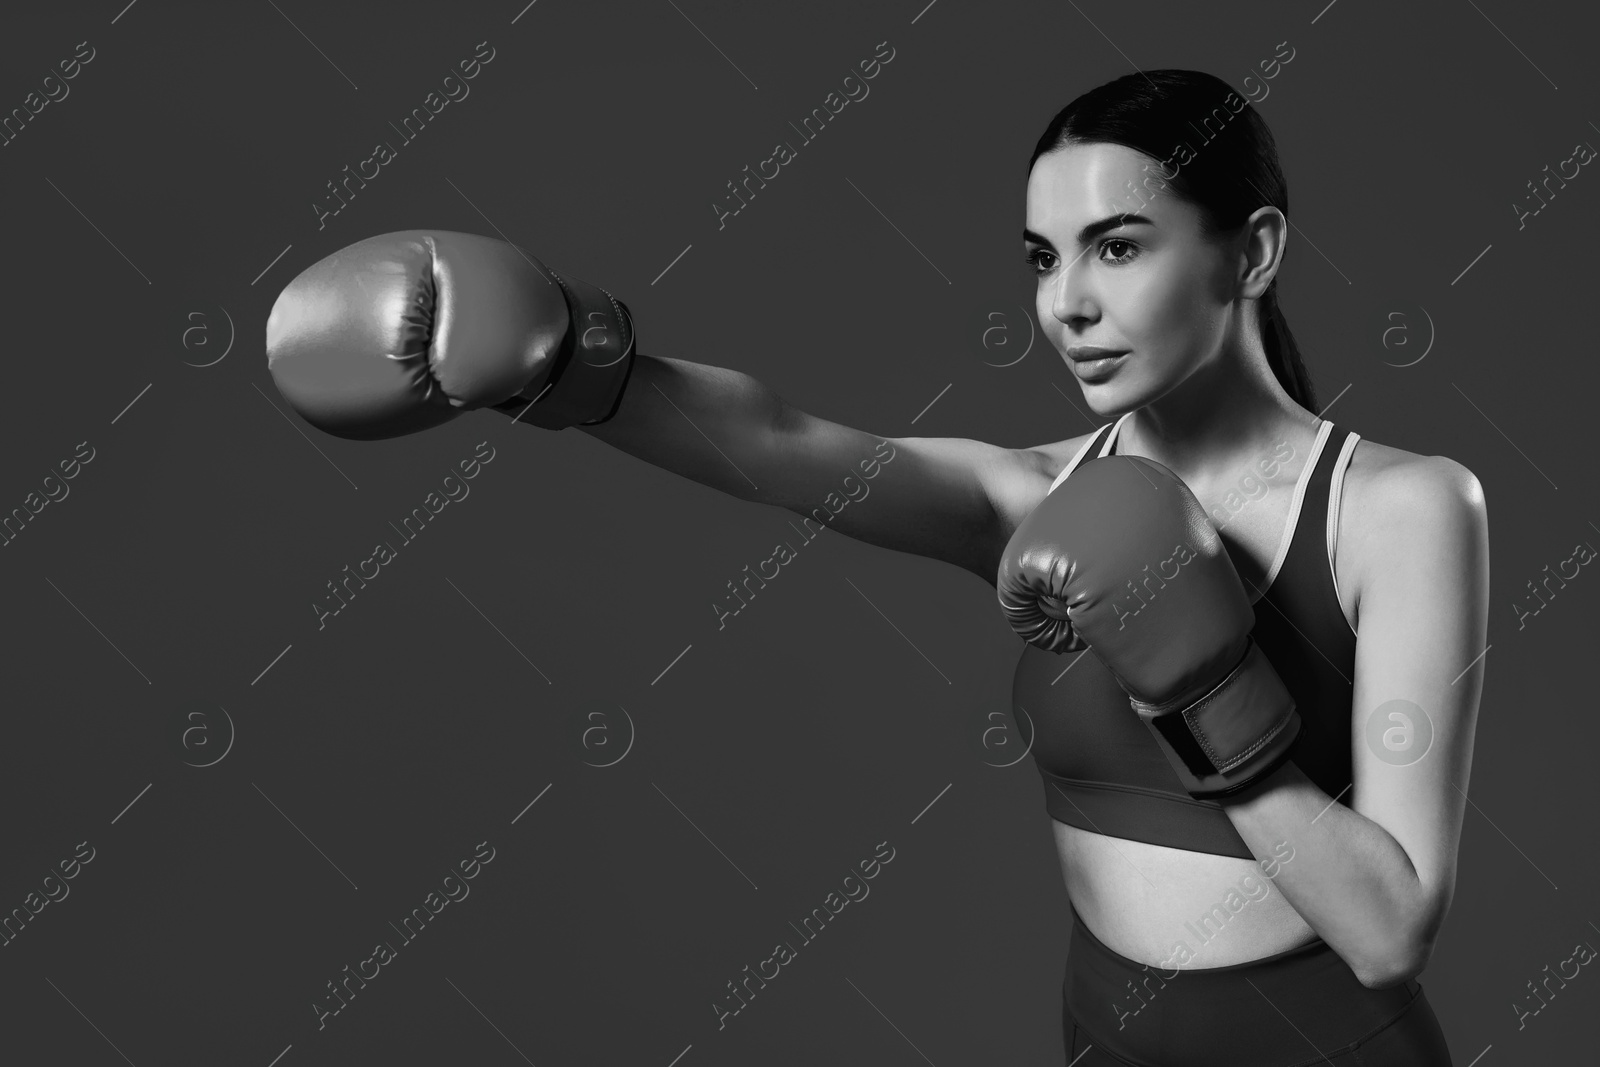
[{"x": 1156, "y": 226}]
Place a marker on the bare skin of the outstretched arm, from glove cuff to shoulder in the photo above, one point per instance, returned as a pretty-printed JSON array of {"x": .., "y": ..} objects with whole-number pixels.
[{"x": 726, "y": 430}]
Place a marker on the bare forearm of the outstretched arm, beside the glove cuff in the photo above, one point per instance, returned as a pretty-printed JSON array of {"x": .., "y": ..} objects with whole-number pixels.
[{"x": 706, "y": 423}]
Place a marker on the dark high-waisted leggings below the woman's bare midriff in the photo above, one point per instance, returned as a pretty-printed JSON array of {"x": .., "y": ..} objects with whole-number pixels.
[{"x": 1298, "y": 1009}]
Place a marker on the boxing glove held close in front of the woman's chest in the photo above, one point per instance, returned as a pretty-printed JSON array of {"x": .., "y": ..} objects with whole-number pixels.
[{"x": 1121, "y": 559}]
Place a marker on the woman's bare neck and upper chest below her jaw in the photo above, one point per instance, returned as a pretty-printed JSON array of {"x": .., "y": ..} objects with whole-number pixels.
[{"x": 1228, "y": 412}]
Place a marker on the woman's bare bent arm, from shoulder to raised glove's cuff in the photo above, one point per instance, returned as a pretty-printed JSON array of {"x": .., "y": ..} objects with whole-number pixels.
[{"x": 1375, "y": 877}]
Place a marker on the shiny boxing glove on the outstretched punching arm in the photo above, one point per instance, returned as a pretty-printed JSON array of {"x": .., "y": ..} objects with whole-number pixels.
[{"x": 409, "y": 330}]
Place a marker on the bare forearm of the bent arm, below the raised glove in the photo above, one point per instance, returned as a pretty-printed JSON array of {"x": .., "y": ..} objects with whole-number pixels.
[{"x": 1350, "y": 877}]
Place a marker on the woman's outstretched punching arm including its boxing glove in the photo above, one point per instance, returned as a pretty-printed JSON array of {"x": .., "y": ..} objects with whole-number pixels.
[{"x": 410, "y": 330}]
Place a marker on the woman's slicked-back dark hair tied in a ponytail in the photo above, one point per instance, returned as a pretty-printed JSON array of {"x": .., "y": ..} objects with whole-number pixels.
[{"x": 1215, "y": 151}]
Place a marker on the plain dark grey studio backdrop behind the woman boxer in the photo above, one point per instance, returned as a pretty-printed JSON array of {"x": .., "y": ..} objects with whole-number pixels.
[{"x": 156, "y": 214}]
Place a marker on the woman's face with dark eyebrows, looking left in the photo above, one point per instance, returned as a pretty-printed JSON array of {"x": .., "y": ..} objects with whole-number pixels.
[{"x": 1126, "y": 268}]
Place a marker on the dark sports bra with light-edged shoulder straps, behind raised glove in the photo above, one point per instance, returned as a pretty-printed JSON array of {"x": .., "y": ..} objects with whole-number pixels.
[{"x": 1102, "y": 767}]
